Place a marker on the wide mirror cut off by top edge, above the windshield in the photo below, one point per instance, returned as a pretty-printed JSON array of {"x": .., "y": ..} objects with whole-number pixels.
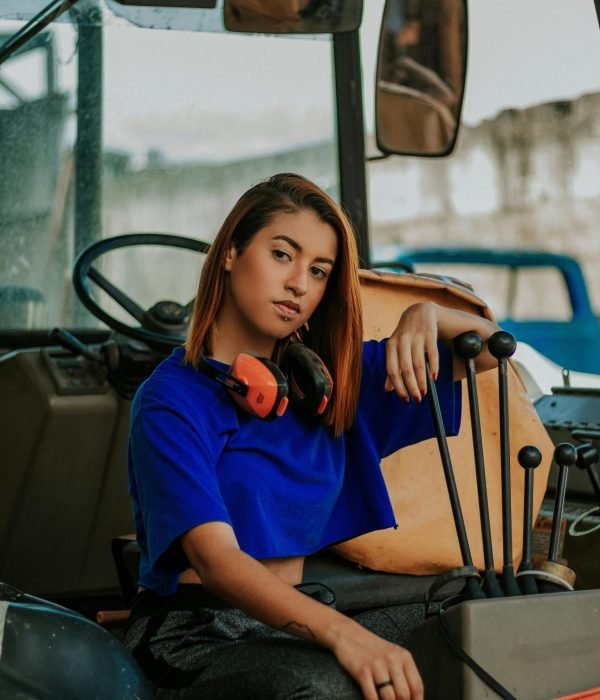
[{"x": 292, "y": 16}]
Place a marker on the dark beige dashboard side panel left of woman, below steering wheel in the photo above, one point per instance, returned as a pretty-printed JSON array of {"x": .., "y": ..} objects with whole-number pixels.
[{"x": 63, "y": 477}]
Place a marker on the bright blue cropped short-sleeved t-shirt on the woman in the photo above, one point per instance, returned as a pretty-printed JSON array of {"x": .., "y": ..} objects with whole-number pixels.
[{"x": 287, "y": 487}]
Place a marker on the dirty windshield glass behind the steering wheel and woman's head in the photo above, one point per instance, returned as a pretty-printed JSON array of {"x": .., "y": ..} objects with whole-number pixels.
[{"x": 189, "y": 121}]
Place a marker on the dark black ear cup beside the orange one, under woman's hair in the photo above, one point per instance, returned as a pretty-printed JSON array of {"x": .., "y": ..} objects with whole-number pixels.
[{"x": 310, "y": 384}]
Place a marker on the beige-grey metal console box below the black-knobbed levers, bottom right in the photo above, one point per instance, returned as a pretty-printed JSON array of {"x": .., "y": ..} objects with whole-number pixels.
[{"x": 537, "y": 647}]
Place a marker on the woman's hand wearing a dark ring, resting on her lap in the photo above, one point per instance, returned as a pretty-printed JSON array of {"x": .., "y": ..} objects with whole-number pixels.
[{"x": 384, "y": 671}]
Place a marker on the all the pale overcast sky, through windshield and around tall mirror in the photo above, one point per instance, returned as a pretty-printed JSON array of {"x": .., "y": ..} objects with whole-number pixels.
[{"x": 191, "y": 95}]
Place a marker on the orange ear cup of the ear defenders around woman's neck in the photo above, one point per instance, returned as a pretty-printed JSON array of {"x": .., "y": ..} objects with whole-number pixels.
[{"x": 266, "y": 386}]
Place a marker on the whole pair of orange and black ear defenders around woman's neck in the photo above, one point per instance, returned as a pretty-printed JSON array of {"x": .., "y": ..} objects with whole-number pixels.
[{"x": 264, "y": 389}]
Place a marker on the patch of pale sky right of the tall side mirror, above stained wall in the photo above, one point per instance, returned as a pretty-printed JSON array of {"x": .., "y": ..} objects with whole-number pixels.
[{"x": 523, "y": 52}]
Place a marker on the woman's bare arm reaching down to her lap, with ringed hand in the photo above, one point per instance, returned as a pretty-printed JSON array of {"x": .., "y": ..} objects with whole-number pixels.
[{"x": 213, "y": 551}]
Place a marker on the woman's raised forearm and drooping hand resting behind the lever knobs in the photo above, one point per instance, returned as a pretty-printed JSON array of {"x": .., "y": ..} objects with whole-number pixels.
[{"x": 416, "y": 335}]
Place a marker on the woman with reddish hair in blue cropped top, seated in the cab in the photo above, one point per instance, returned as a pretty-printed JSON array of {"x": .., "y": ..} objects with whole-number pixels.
[{"x": 228, "y": 504}]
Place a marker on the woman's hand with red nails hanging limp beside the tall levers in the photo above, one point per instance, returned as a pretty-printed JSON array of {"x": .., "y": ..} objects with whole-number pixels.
[{"x": 414, "y": 338}]
